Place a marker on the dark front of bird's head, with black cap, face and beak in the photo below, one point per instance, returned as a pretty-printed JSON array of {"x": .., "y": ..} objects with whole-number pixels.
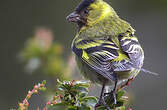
[{"x": 80, "y": 13}]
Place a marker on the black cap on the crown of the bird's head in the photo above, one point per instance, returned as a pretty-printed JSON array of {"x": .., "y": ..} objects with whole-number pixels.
[{"x": 84, "y": 4}]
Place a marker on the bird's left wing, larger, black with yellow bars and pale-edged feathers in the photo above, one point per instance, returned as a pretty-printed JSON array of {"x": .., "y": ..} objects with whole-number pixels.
[{"x": 97, "y": 53}]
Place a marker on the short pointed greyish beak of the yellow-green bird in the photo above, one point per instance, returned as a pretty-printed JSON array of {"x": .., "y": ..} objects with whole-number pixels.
[{"x": 73, "y": 17}]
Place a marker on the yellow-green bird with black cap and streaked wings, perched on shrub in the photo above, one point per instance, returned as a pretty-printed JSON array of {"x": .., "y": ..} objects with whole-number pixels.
[{"x": 105, "y": 46}]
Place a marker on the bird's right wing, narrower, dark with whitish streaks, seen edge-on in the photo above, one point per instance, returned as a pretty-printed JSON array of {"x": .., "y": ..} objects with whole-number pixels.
[{"x": 130, "y": 45}]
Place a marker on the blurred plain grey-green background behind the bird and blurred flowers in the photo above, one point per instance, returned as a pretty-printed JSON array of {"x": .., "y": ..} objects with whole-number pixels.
[{"x": 20, "y": 18}]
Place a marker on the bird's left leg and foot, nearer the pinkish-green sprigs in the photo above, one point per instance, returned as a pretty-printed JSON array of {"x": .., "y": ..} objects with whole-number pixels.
[{"x": 101, "y": 100}]
